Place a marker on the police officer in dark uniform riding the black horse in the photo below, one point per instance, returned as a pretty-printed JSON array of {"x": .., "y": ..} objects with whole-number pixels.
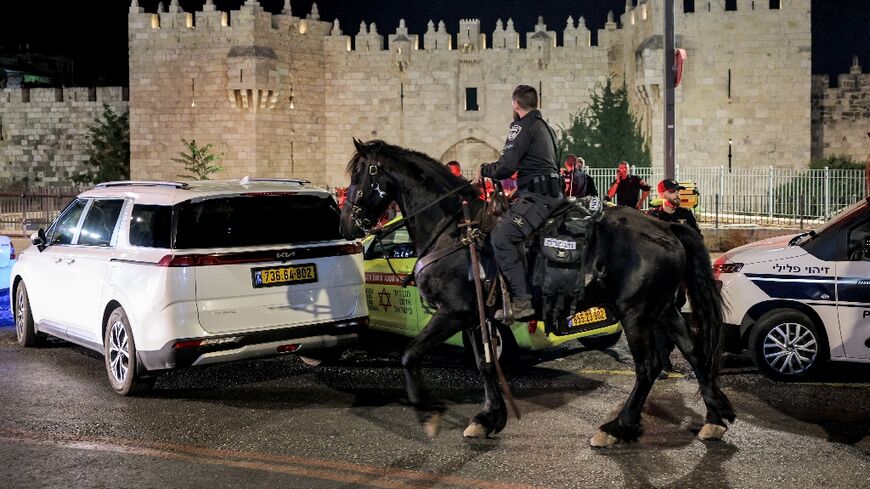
[{"x": 530, "y": 150}]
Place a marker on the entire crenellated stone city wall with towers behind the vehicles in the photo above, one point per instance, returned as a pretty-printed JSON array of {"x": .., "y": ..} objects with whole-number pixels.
[{"x": 282, "y": 95}]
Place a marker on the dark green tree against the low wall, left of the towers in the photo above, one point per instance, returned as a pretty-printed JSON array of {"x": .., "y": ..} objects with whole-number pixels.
[{"x": 109, "y": 154}]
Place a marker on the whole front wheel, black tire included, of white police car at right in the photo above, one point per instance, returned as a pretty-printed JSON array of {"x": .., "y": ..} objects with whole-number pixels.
[{"x": 786, "y": 345}]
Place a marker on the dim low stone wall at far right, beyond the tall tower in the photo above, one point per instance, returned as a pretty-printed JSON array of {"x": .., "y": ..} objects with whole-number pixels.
[{"x": 841, "y": 115}]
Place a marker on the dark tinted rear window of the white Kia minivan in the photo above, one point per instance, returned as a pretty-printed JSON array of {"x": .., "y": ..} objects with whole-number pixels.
[{"x": 256, "y": 220}]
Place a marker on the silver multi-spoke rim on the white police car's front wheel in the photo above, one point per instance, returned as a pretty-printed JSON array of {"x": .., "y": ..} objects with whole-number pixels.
[{"x": 790, "y": 348}]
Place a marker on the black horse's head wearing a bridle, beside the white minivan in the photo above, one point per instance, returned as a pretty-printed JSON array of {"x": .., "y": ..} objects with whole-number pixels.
[{"x": 371, "y": 190}]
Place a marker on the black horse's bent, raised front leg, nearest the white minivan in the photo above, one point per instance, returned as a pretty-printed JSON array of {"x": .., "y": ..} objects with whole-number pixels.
[{"x": 429, "y": 410}]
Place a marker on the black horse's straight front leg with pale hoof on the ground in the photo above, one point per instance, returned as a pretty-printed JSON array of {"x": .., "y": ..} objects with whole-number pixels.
[{"x": 494, "y": 416}]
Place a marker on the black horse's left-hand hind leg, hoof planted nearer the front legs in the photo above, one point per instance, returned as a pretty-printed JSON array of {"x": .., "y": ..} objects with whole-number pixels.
[{"x": 647, "y": 365}]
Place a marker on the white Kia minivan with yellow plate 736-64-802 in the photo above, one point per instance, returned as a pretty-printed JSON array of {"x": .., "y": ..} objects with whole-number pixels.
[{"x": 164, "y": 275}]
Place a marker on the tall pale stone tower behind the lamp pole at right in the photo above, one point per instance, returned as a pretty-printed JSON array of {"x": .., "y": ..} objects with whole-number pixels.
[{"x": 763, "y": 106}]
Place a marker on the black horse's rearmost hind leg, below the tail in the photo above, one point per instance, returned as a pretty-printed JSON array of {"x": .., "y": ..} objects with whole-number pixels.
[{"x": 719, "y": 408}]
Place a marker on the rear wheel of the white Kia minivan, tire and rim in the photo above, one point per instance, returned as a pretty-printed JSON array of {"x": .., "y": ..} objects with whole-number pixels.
[{"x": 119, "y": 349}]
